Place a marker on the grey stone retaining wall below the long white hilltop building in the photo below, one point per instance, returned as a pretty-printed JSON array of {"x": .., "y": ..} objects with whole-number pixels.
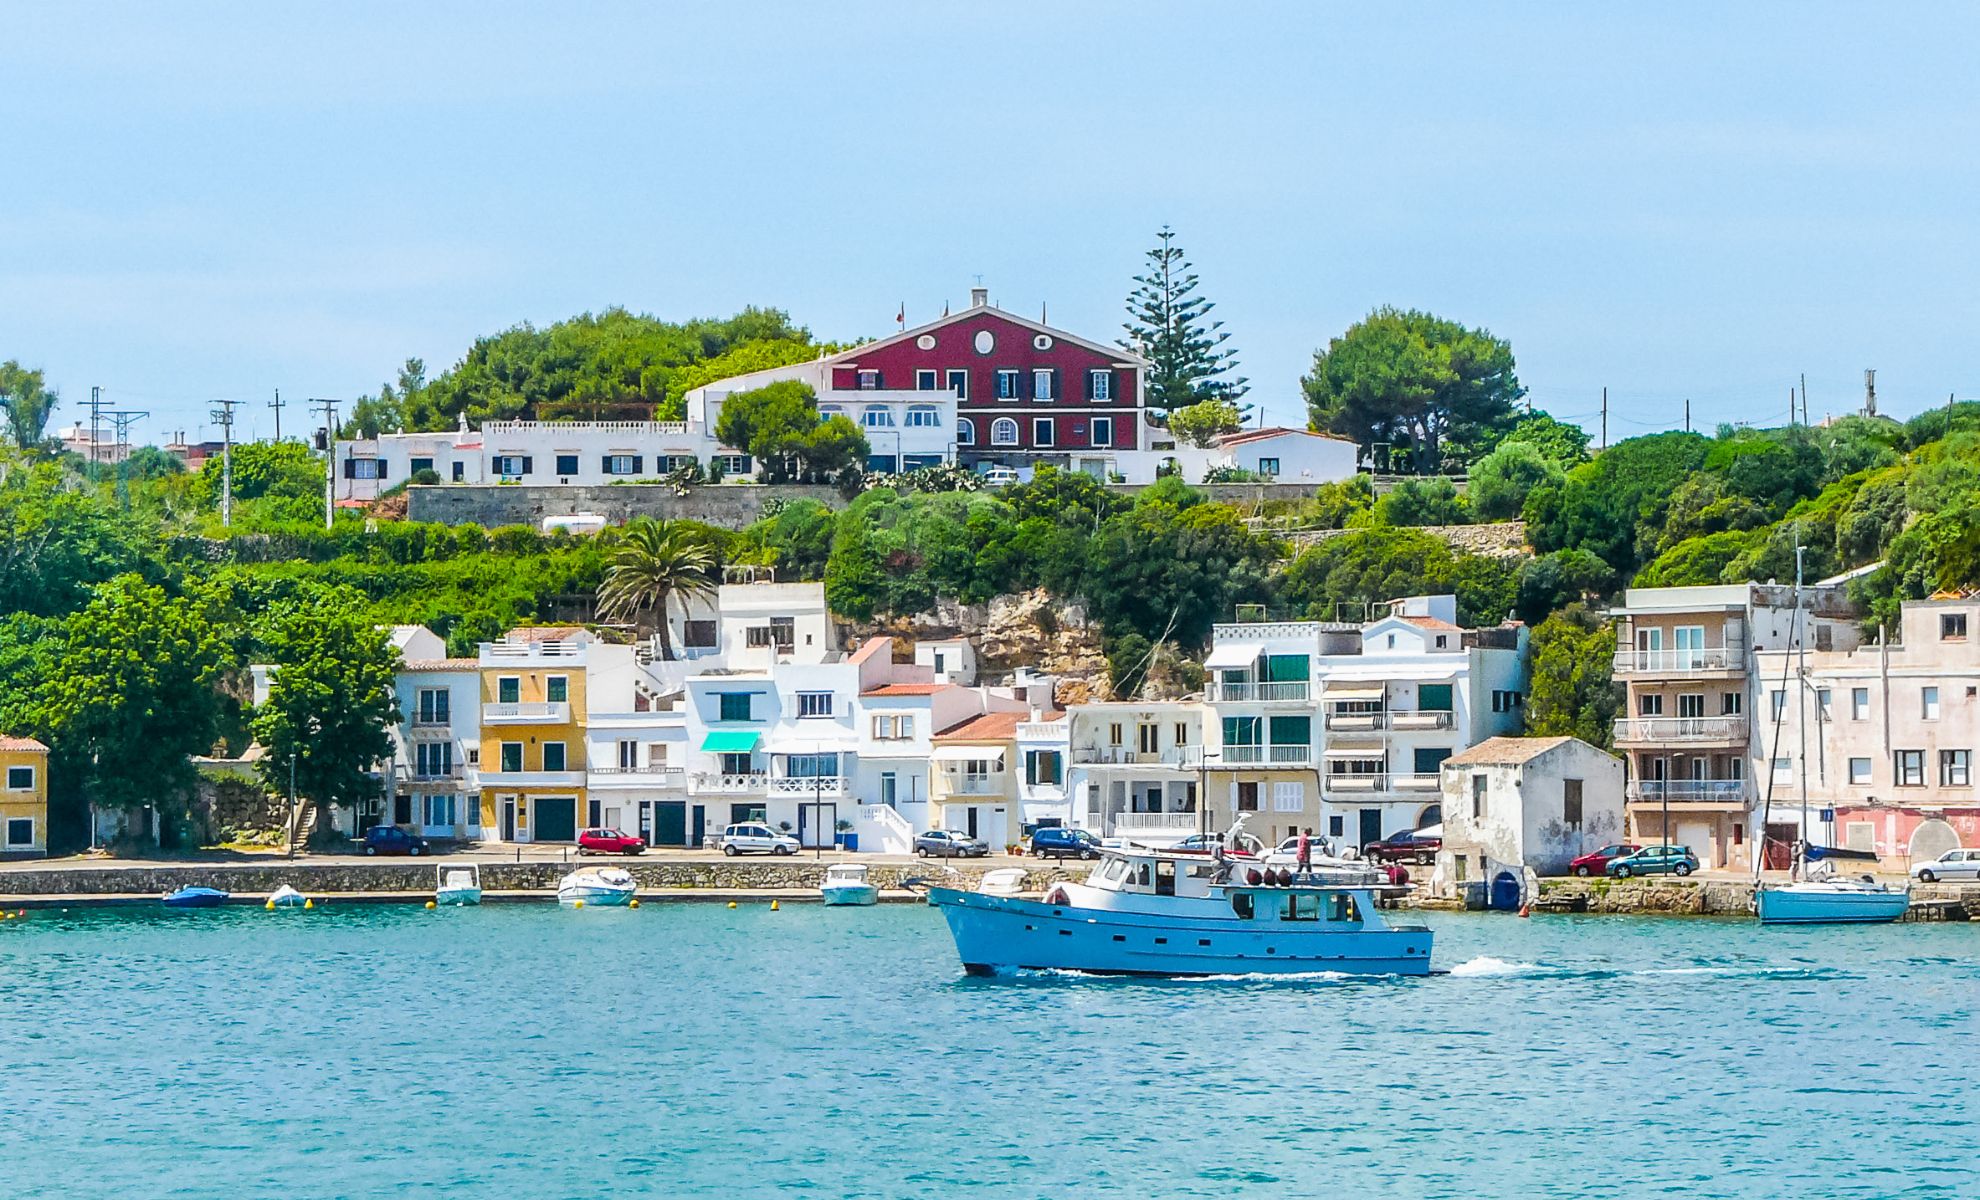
[{"x": 730, "y": 506}]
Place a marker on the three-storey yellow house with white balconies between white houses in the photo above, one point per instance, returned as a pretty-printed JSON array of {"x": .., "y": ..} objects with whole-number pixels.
[{"x": 534, "y": 712}]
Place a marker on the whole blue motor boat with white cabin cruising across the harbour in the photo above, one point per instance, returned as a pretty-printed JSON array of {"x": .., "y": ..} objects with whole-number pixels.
[{"x": 1179, "y": 914}]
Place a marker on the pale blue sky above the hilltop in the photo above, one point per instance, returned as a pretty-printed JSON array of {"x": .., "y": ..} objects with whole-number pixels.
[{"x": 1674, "y": 203}]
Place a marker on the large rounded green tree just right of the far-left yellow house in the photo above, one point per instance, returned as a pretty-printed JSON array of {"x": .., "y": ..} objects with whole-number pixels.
[{"x": 136, "y": 694}]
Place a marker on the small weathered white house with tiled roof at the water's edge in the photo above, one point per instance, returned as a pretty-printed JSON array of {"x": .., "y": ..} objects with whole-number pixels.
[{"x": 1524, "y": 807}]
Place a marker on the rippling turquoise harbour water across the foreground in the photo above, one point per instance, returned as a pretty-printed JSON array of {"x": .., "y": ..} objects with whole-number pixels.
[{"x": 690, "y": 1050}]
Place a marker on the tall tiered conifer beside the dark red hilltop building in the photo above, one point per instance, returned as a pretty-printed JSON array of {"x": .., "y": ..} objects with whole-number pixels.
[{"x": 1171, "y": 328}]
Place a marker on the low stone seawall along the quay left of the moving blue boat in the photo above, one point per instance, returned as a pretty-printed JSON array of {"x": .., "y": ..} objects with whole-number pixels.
[{"x": 419, "y": 878}]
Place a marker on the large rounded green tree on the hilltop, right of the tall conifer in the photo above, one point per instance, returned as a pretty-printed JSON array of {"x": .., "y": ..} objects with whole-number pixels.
[{"x": 1417, "y": 383}]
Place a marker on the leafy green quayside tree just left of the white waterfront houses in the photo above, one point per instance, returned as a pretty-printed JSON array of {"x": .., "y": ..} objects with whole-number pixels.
[{"x": 332, "y": 704}]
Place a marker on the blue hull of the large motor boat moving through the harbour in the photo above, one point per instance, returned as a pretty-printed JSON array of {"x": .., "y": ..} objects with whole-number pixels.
[{"x": 1013, "y": 934}]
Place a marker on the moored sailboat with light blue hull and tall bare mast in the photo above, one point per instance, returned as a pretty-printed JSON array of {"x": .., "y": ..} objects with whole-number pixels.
[{"x": 1817, "y": 894}]
